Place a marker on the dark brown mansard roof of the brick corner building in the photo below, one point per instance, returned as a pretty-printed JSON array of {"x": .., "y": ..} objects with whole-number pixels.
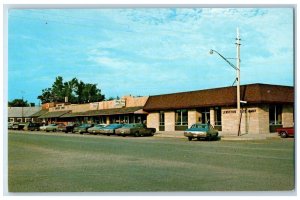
[{"x": 256, "y": 93}]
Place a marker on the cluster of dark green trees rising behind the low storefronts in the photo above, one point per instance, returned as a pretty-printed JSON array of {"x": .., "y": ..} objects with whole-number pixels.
[{"x": 76, "y": 91}]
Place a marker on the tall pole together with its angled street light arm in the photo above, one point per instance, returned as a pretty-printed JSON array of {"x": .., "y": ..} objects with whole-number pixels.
[{"x": 237, "y": 68}]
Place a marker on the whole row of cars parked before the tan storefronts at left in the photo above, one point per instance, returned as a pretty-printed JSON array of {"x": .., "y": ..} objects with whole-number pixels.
[{"x": 135, "y": 129}]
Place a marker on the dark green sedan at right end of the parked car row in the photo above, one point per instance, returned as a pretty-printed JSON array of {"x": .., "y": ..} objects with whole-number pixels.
[{"x": 136, "y": 129}]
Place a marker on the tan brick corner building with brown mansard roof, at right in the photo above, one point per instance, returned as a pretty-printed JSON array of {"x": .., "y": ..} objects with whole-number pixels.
[{"x": 267, "y": 107}]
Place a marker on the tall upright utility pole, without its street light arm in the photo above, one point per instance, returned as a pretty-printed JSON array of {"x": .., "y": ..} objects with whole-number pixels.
[{"x": 238, "y": 44}]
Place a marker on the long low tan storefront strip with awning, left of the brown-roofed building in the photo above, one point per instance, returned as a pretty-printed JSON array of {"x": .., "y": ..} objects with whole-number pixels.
[{"x": 128, "y": 109}]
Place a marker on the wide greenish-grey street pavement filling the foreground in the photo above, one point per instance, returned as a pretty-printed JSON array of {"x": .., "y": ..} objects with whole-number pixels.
[{"x": 40, "y": 162}]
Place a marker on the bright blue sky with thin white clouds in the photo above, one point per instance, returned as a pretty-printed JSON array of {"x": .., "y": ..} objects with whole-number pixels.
[{"x": 147, "y": 51}]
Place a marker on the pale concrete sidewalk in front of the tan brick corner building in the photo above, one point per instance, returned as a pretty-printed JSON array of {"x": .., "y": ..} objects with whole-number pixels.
[{"x": 179, "y": 134}]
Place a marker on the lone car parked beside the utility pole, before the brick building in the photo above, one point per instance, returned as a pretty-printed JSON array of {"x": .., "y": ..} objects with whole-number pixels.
[{"x": 199, "y": 131}]
